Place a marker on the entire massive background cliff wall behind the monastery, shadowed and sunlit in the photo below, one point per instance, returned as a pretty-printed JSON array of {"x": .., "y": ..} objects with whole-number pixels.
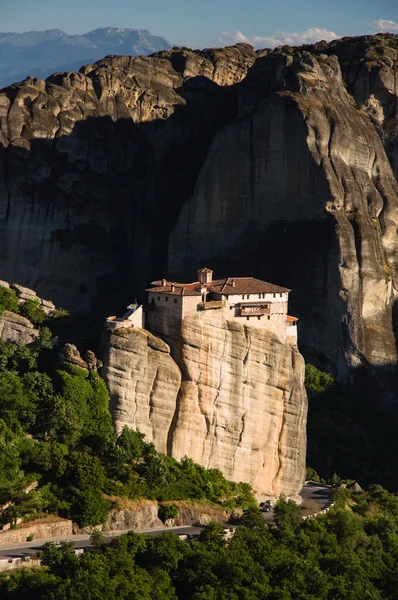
[{"x": 256, "y": 163}]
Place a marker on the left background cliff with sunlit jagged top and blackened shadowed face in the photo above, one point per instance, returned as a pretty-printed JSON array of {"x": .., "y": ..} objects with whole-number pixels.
[{"x": 91, "y": 160}]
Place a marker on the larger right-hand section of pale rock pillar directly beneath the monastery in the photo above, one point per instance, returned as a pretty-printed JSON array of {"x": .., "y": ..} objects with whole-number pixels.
[{"x": 242, "y": 406}]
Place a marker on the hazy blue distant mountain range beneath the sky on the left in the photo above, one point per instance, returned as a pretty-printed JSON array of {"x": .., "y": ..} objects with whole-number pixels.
[{"x": 41, "y": 53}]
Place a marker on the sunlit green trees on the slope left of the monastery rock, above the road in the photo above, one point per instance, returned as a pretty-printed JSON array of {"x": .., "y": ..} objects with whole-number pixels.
[{"x": 73, "y": 450}]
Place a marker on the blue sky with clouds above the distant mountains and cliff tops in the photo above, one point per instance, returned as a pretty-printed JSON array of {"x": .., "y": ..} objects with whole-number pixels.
[{"x": 204, "y": 23}]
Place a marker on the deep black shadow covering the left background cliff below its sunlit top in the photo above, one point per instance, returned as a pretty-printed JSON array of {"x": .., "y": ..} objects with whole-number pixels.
[{"x": 109, "y": 195}]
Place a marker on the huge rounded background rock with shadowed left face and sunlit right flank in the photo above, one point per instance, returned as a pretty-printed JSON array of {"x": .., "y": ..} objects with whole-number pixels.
[{"x": 299, "y": 187}]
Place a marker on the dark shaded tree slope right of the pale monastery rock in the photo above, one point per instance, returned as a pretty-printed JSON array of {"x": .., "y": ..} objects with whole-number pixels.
[{"x": 347, "y": 433}]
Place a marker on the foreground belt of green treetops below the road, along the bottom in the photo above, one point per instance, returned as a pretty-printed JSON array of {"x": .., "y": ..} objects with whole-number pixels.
[{"x": 350, "y": 553}]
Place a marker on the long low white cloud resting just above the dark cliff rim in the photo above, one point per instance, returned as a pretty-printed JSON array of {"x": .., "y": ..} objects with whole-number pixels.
[{"x": 280, "y": 38}]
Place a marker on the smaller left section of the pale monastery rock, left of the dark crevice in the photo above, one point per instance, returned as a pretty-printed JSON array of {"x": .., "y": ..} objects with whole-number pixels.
[{"x": 143, "y": 382}]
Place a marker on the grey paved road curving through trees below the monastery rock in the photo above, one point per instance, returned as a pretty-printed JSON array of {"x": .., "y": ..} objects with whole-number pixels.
[{"x": 311, "y": 491}]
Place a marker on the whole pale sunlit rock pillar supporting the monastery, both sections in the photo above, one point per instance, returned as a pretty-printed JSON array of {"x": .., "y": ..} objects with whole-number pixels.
[{"x": 236, "y": 400}]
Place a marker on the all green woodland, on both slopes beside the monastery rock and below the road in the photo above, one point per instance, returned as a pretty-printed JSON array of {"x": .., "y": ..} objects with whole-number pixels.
[{"x": 56, "y": 428}]
